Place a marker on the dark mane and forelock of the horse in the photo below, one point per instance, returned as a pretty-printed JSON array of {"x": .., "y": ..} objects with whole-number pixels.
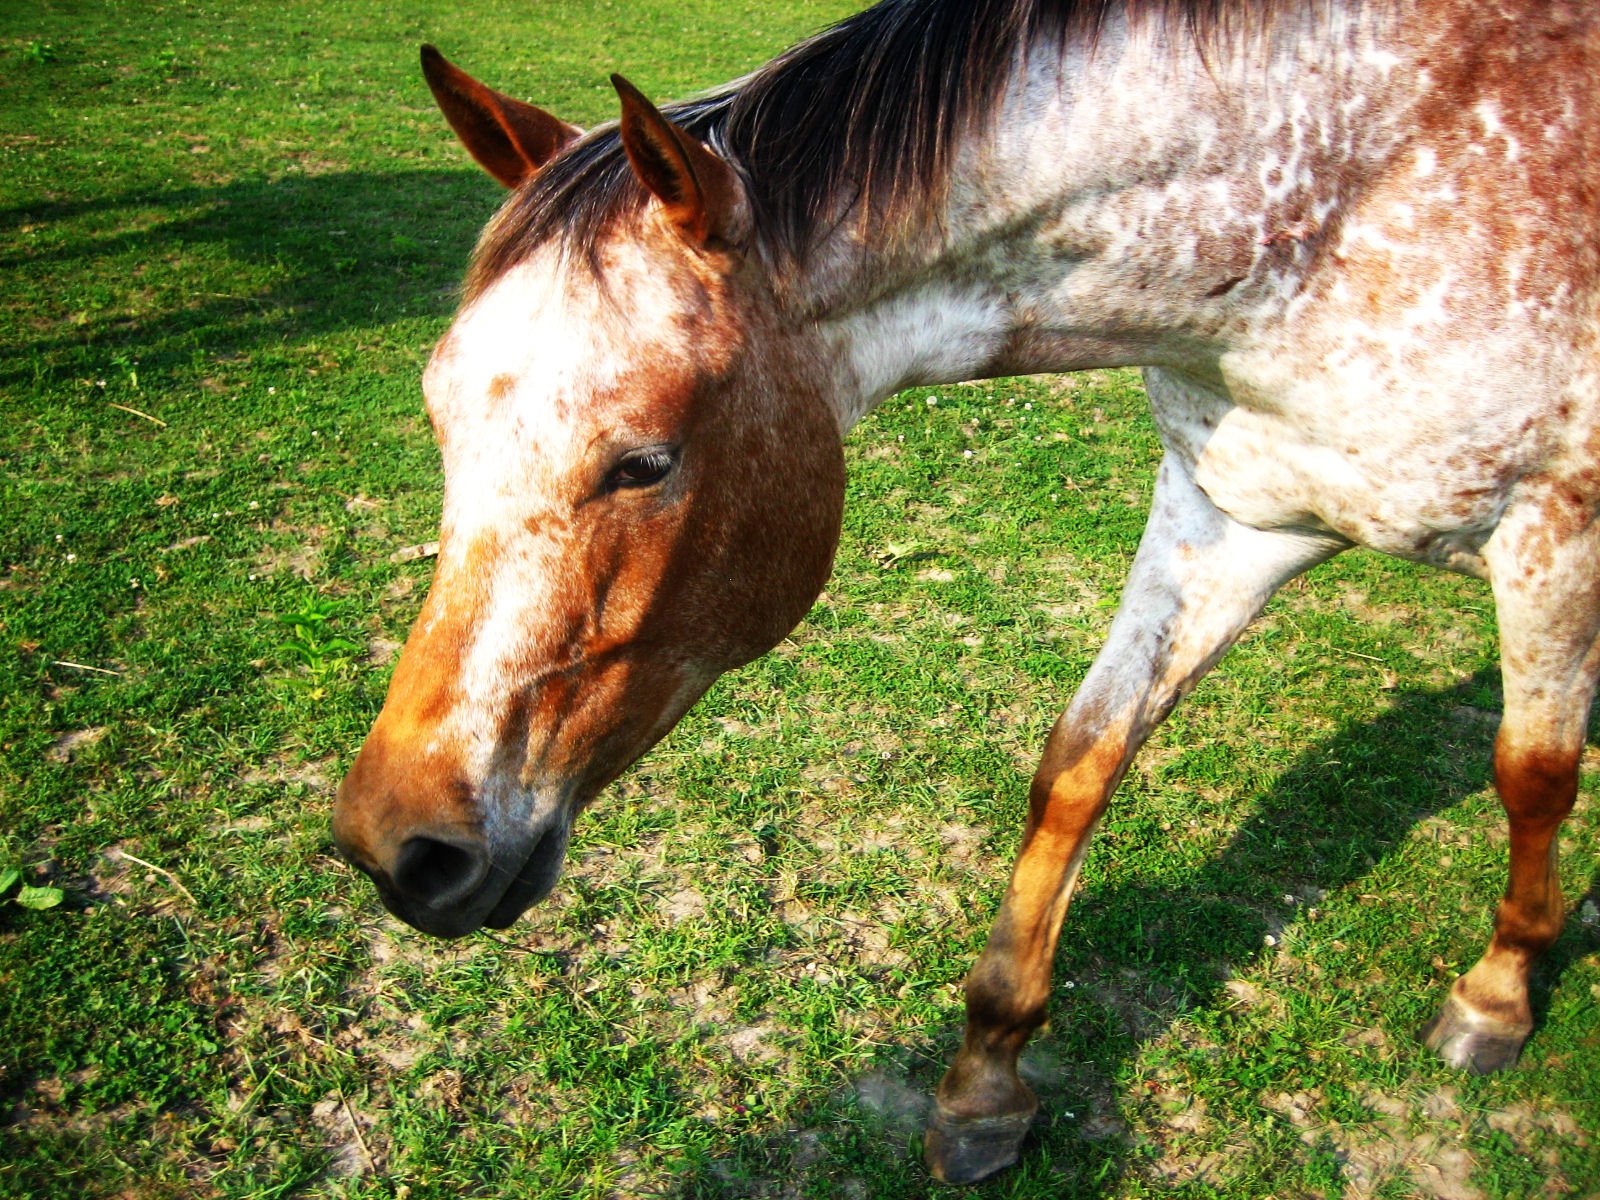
[{"x": 862, "y": 121}]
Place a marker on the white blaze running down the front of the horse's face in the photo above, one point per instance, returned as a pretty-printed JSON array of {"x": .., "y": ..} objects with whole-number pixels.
[{"x": 526, "y": 394}]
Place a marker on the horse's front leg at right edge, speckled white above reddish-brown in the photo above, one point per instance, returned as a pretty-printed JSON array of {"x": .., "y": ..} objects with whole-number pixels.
[{"x": 1548, "y": 601}]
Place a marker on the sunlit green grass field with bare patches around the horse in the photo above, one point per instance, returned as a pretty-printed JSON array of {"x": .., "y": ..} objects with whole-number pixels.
[{"x": 230, "y": 234}]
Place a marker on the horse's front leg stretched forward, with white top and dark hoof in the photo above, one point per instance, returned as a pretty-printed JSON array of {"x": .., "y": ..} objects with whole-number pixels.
[{"x": 1196, "y": 585}]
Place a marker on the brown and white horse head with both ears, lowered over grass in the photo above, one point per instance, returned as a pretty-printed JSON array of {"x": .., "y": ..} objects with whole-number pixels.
[{"x": 644, "y": 484}]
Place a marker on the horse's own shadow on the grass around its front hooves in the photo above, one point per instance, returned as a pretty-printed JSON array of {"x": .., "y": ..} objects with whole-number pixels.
[{"x": 1143, "y": 956}]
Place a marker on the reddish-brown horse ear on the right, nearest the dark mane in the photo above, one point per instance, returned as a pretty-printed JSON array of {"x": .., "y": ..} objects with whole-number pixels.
[{"x": 698, "y": 191}]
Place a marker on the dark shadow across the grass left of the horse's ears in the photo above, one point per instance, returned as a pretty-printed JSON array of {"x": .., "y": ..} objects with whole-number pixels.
[{"x": 191, "y": 274}]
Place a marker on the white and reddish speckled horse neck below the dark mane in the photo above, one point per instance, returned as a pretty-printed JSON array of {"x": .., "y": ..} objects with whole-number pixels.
[{"x": 1129, "y": 207}]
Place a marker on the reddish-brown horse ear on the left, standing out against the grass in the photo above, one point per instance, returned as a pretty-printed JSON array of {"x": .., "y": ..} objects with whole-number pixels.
[{"x": 510, "y": 138}]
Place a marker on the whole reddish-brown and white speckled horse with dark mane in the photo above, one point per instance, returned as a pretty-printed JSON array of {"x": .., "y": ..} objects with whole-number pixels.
[{"x": 1353, "y": 244}]
